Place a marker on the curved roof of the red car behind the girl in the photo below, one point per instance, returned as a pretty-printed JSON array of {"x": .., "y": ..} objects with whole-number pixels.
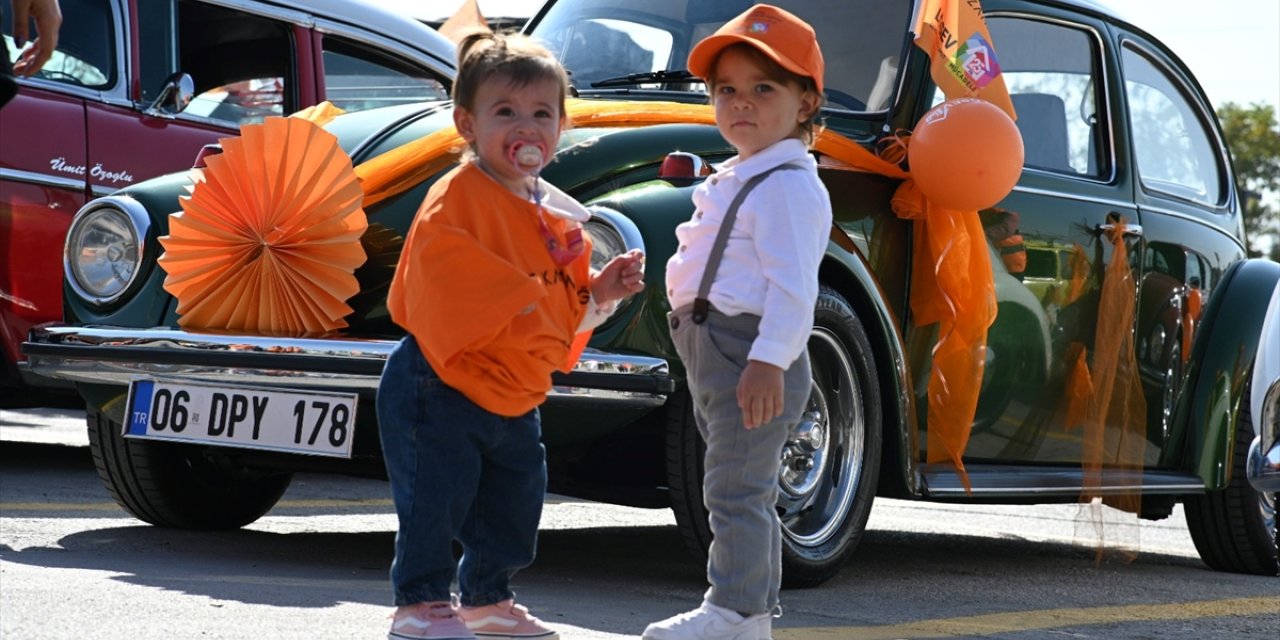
[{"x": 381, "y": 20}]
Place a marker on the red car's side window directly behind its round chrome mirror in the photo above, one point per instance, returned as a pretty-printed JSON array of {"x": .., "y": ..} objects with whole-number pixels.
[{"x": 243, "y": 65}]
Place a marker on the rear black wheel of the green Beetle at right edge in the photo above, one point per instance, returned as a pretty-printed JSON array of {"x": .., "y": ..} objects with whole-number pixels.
[{"x": 1236, "y": 529}]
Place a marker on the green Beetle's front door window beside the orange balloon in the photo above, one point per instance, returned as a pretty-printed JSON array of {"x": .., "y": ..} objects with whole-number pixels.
[{"x": 1049, "y": 71}]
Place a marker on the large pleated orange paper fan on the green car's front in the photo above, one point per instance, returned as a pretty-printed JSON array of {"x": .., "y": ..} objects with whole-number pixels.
[{"x": 269, "y": 239}]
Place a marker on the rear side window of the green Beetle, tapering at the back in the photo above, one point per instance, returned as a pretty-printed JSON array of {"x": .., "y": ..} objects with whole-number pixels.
[{"x": 1174, "y": 152}]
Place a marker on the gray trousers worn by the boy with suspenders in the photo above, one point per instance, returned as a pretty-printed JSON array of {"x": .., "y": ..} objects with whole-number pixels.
[{"x": 740, "y": 487}]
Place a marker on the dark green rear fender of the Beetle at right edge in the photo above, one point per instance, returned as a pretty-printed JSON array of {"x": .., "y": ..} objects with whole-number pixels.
[{"x": 1223, "y": 356}]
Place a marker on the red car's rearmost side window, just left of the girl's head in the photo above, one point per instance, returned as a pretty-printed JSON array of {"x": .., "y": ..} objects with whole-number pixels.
[{"x": 359, "y": 79}]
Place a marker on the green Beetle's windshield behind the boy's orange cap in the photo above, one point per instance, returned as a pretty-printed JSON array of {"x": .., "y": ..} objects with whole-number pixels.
[{"x": 610, "y": 40}]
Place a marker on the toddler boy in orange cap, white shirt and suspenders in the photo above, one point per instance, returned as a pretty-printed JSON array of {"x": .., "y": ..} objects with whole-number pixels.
[{"x": 743, "y": 287}]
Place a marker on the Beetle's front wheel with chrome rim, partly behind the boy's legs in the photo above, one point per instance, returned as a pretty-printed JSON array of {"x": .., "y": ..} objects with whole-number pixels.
[{"x": 824, "y": 509}]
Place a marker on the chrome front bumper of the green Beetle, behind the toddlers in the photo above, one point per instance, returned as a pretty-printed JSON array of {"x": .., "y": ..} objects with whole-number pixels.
[{"x": 113, "y": 356}]
